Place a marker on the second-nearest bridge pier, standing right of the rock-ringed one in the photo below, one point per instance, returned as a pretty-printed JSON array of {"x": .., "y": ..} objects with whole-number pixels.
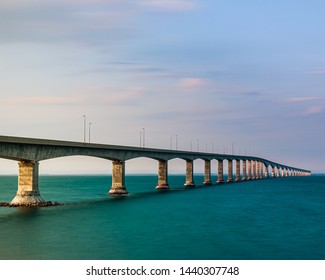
[{"x": 118, "y": 178}]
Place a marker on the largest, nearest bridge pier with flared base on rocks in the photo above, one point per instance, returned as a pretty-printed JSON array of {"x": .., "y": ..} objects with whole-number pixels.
[{"x": 28, "y": 192}]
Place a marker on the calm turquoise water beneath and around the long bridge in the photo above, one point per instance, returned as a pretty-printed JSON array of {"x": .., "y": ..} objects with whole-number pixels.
[{"x": 281, "y": 218}]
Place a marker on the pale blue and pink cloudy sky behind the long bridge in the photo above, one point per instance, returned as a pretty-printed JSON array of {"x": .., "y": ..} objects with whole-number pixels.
[{"x": 243, "y": 77}]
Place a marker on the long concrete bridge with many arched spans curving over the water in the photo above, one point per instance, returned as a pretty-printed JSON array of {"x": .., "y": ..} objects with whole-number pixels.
[{"x": 29, "y": 152}]
